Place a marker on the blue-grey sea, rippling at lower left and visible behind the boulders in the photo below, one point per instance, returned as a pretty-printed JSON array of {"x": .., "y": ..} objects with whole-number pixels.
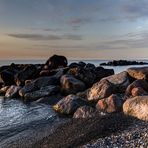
[{"x": 21, "y": 125}]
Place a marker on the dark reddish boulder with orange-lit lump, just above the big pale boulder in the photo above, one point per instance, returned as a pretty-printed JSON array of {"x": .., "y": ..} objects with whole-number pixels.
[{"x": 138, "y": 87}]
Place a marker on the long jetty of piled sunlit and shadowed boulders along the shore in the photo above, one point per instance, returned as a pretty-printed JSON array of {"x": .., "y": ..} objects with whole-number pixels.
[{"x": 79, "y": 90}]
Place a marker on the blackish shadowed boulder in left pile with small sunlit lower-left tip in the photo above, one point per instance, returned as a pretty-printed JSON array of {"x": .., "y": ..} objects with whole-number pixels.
[{"x": 29, "y": 72}]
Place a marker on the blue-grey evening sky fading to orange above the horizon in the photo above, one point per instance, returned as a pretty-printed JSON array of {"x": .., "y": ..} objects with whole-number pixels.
[{"x": 78, "y": 29}]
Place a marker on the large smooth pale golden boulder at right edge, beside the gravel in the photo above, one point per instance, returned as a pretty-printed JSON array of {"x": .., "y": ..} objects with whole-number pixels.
[{"x": 137, "y": 107}]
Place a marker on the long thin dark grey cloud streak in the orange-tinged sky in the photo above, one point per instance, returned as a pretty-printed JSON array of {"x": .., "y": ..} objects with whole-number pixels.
[{"x": 37, "y": 37}]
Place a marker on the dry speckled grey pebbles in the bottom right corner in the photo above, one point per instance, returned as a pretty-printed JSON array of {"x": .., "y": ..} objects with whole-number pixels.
[{"x": 134, "y": 136}]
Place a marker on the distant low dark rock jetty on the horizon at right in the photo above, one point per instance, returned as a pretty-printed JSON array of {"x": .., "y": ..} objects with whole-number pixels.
[{"x": 122, "y": 63}]
